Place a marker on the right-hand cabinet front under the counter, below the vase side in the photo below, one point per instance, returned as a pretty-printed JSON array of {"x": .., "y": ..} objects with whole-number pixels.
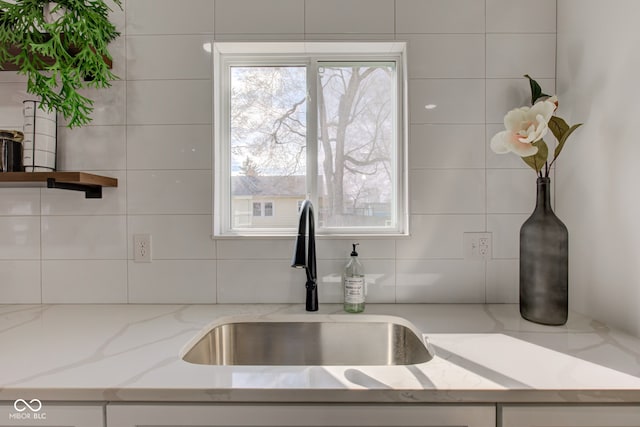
[{"x": 570, "y": 416}]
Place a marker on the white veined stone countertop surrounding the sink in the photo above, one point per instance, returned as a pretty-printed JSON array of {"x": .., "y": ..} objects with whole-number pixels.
[{"x": 484, "y": 353}]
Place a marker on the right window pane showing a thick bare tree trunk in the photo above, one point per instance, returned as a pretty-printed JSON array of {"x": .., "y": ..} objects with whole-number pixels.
[{"x": 356, "y": 133}]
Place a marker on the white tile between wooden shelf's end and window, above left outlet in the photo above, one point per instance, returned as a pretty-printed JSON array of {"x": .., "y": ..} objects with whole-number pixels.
[{"x": 169, "y": 192}]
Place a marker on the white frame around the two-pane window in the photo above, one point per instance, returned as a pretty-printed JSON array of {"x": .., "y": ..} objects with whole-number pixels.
[{"x": 226, "y": 54}]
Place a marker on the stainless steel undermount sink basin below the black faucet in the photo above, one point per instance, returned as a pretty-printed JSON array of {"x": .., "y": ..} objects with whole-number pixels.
[{"x": 310, "y": 340}]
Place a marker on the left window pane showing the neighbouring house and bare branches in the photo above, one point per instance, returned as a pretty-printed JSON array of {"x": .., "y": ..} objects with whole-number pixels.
[{"x": 268, "y": 108}]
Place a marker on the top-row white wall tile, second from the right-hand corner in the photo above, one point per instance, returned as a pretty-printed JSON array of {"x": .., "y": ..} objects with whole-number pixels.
[{"x": 440, "y": 16}]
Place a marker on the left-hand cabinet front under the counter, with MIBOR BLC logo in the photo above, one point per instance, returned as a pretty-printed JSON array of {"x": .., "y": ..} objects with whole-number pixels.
[{"x": 36, "y": 413}]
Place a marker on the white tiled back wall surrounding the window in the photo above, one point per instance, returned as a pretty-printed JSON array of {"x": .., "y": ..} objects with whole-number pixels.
[{"x": 152, "y": 131}]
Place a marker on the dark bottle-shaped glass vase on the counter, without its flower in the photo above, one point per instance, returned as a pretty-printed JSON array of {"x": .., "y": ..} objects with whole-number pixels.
[{"x": 544, "y": 263}]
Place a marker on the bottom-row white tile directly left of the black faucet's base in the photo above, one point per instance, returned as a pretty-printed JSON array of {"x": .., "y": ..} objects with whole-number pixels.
[{"x": 260, "y": 281}]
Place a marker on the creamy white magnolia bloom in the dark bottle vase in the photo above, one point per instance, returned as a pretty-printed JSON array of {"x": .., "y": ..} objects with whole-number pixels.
[{"x": 524, "y": 126}]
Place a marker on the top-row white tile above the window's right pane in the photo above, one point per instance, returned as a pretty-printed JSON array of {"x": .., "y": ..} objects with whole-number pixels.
[{"x": 349, "y": 16}]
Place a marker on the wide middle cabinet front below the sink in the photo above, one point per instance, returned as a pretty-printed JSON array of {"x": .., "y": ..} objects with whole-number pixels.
[{"x": 120, "y": 415}]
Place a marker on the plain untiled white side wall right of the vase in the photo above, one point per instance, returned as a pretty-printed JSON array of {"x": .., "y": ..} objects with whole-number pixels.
[{"x": 598, "y": 175}]
